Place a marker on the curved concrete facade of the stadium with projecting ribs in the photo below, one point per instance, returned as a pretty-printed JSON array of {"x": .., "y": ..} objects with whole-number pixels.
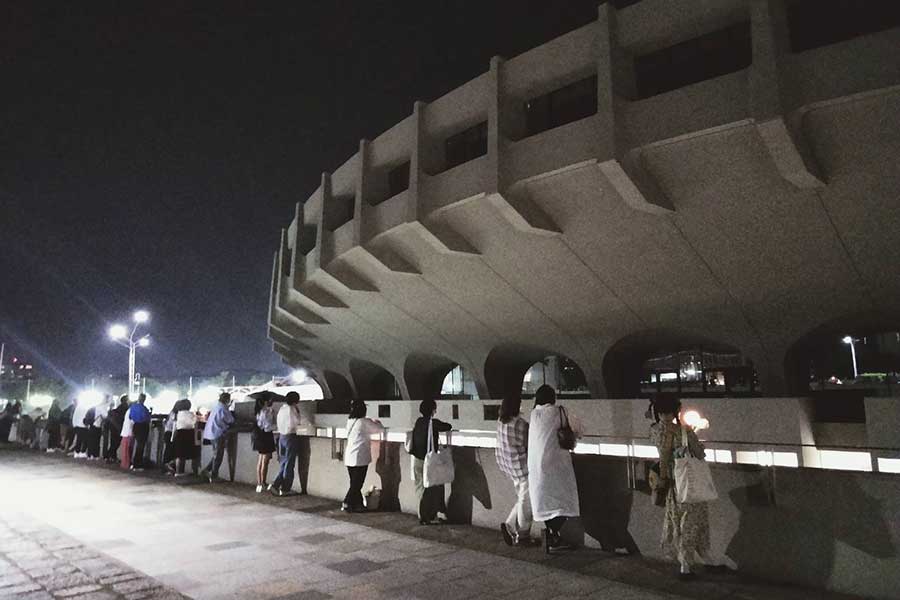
[{"x": 744, "y": 212}]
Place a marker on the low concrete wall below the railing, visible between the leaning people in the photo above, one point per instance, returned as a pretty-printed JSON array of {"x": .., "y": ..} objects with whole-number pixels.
[{"x": 823, "y": 529}]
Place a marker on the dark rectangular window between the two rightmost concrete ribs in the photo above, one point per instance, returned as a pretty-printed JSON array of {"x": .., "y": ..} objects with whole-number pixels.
[{"x": 708, "y": 56}]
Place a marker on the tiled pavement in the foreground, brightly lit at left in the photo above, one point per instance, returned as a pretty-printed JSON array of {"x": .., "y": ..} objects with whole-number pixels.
[{"x": 66, "y": 524}]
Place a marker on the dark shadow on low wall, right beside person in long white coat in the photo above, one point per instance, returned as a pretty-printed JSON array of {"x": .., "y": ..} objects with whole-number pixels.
[{"x": 605, "y": 502}]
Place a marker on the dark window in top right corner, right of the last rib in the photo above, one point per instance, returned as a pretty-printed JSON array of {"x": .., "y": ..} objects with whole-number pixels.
[{"x": 816, "y": 23}]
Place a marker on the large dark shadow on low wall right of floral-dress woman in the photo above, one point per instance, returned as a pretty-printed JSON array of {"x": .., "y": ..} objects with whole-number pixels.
[{"x": 806, "y": 525}]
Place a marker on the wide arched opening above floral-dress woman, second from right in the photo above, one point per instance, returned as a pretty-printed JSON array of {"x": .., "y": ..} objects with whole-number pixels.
[{"x": 647, "y": 362}]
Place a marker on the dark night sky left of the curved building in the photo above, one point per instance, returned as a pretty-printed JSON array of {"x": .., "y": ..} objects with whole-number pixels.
[{"x": 150, "y": 152}]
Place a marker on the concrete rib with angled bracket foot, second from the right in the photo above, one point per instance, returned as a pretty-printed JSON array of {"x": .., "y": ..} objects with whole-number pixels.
[{"x": 622, "y": 166}]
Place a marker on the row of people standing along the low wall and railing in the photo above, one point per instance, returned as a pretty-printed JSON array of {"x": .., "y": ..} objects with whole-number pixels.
[{"x": 536, "y": 455}]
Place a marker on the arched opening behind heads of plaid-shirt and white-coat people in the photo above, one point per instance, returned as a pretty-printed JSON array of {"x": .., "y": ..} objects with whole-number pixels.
[{"x": 518, "y": 370}]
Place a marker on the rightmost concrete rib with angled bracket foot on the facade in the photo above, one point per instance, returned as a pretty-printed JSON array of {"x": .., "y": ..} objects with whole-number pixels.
[{"x": 769, "y": 107}]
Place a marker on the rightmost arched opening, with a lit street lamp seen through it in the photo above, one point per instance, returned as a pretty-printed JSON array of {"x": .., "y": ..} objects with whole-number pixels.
[{"x": 859, "y": 352}]
